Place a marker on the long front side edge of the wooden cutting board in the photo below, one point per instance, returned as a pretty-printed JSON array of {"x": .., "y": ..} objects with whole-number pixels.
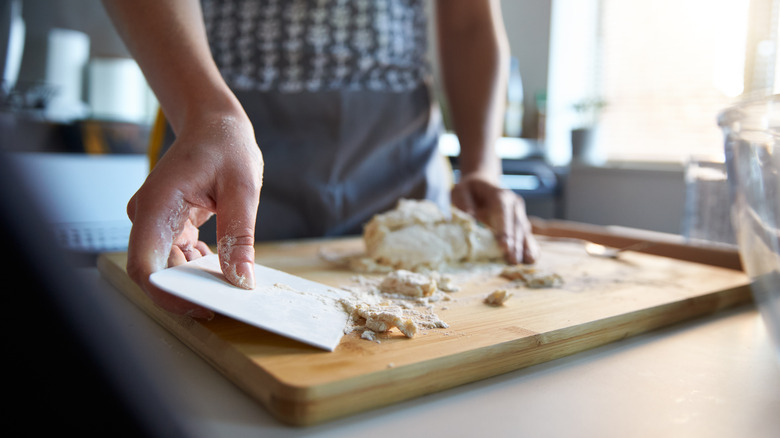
[{"x": 408, "y": 382}]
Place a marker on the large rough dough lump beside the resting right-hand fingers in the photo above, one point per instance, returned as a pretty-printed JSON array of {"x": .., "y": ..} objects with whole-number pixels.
[{"x": 418, "y": 236}]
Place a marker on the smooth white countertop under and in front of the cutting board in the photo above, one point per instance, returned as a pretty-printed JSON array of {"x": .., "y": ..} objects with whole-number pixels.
[{"x": 716, "y": 376}]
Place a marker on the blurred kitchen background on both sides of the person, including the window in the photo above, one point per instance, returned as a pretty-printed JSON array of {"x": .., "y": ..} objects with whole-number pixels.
[{"x": 611, "y": 121}]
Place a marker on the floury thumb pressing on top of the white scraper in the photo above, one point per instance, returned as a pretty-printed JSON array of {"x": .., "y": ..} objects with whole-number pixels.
[{"x": 236, "y": 215}]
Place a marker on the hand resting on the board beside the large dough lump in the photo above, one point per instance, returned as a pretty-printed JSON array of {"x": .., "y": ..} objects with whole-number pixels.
[{"x": 501, "y": 210}]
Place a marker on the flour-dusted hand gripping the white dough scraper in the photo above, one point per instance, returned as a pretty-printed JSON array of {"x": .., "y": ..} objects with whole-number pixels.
[{"x": 212, "y": 167}]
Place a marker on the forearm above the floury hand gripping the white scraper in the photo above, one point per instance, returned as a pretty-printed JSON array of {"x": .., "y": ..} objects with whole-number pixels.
[{"x": 168, "y": 40}]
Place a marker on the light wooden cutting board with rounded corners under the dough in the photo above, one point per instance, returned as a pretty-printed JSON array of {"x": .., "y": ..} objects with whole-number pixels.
[{"x": 601, "y": 300}]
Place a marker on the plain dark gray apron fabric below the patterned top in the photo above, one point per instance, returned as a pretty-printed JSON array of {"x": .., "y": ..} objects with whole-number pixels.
[{"x": 333, "y": 159}]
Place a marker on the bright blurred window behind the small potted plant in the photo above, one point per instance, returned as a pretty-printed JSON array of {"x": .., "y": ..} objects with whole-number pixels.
[{"x": 665, "y": 68}]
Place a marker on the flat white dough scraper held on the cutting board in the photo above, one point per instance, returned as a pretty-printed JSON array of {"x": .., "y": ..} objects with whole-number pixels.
[{"x": 282, "y": 303}]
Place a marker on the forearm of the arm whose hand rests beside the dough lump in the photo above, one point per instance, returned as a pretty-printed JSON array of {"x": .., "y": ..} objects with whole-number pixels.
[{"x": 474, "y": 57}]
